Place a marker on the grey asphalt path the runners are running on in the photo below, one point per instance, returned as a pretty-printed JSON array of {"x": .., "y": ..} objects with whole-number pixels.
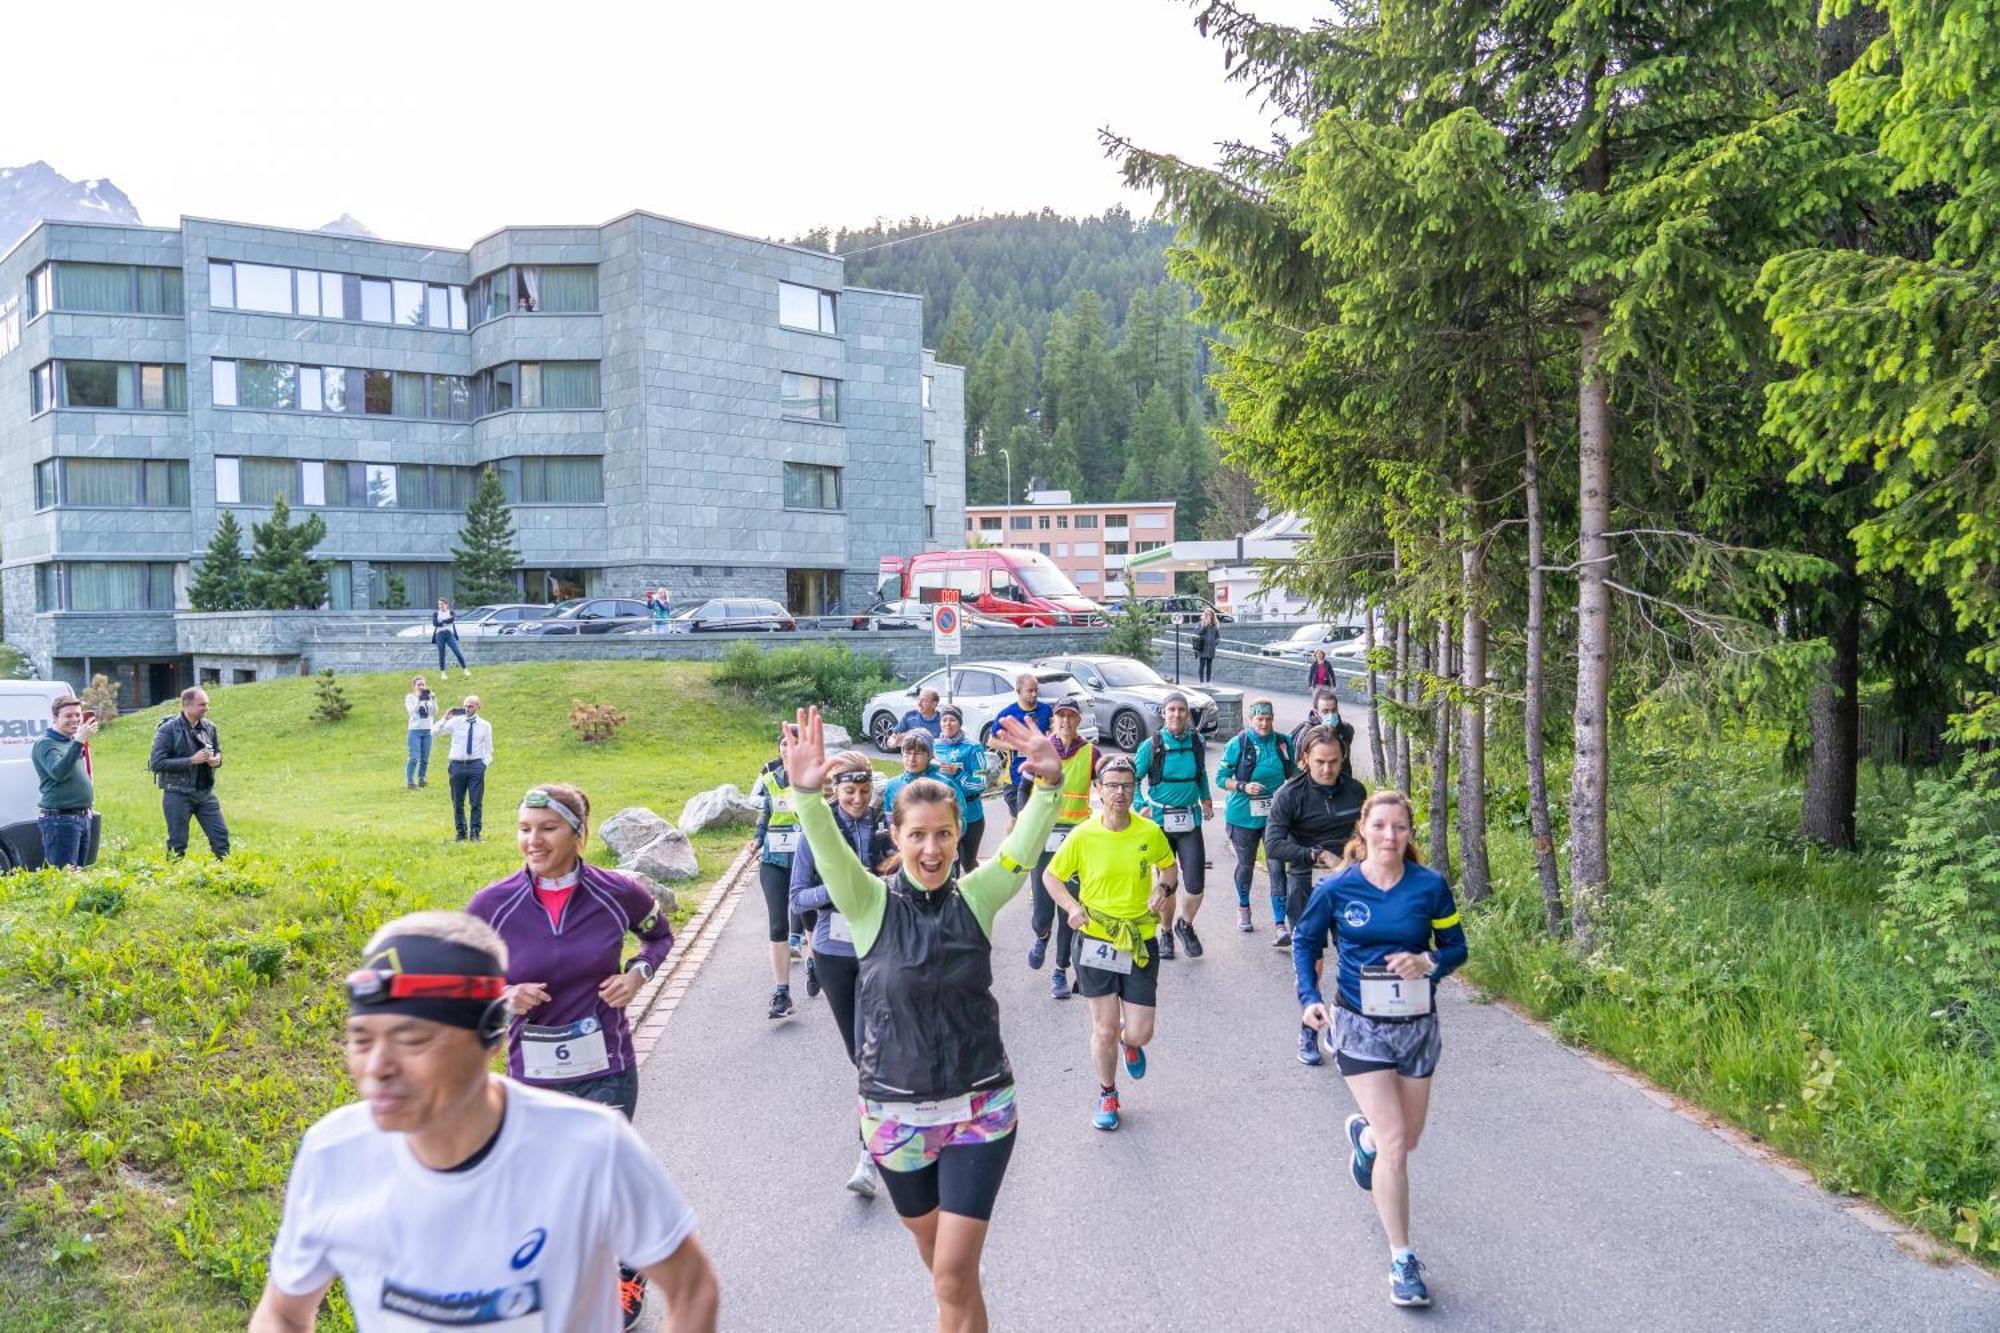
[{"x": 1547, "y": 1194}]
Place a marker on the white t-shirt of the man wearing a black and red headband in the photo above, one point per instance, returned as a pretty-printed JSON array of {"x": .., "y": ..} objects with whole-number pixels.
[{"x": 527, "y": 1242}]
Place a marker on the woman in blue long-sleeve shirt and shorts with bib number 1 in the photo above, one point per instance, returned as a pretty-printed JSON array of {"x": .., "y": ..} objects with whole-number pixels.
[{"x": 1397, "y": 932}]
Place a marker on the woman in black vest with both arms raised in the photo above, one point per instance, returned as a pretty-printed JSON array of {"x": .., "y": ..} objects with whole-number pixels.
[{"x": 935, "y": 1080}]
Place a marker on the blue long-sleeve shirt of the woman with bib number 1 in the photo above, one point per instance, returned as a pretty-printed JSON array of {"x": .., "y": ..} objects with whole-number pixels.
[{"x": 1371, "y": 924}]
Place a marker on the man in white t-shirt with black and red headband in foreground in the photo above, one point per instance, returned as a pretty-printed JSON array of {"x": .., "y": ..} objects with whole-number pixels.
[{"x": 457, "y": 1198}]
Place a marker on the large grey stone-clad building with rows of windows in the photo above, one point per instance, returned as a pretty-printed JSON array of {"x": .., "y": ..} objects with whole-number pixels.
[{"x": 665, "y": 403}]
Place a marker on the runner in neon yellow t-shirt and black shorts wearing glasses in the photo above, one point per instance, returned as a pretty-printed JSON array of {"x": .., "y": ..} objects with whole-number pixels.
[{"x": 1127, "y": 874}]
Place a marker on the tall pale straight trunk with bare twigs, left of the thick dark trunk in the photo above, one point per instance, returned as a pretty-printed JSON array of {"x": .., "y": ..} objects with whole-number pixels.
[{"x": 1589, "y": 780}]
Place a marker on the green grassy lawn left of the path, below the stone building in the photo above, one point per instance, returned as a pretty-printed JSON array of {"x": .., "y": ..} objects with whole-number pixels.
[{"x": 171, "y": 1028}]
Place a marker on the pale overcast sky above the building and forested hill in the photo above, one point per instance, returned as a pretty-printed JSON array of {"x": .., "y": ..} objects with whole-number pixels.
[{"x": 441, "y": 121}]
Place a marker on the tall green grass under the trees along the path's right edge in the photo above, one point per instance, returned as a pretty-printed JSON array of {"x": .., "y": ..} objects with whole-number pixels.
[{"x": 1747, "y": 974}]
